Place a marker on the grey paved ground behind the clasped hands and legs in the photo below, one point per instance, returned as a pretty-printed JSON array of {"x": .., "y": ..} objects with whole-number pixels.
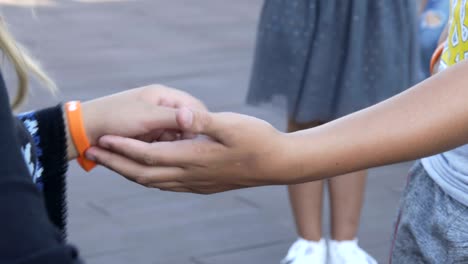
[{"x": 93, "y": 48}]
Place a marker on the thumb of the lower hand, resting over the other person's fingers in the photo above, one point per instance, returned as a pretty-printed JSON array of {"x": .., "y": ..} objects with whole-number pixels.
[{"x": 201, "y": 122}]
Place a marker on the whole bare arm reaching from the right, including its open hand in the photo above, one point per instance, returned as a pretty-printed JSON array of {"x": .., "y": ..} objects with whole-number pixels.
[{"x": 429, "y": 118}]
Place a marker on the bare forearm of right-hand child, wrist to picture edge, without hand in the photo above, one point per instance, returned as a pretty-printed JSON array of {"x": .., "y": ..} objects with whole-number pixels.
[{"x": 429, "y": 118}]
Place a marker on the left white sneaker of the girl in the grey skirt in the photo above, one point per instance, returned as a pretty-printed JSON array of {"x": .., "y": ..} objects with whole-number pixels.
[{"x": 306, "y": 252}]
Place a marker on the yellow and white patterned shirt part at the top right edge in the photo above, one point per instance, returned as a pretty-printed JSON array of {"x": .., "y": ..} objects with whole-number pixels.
[{"x": 456, "y": 46}]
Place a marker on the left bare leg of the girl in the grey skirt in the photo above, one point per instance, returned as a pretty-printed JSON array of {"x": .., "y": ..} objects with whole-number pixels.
[{"x": 306, "y": 200}]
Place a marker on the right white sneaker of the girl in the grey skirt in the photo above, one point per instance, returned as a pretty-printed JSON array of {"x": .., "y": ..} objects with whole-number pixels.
[{"x": 348, "y": 252}]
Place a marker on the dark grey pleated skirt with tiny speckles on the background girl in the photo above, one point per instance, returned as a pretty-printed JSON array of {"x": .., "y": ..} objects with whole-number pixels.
[{"x": 329, "y": 58}]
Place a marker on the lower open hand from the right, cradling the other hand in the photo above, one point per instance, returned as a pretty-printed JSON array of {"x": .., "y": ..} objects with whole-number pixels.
[{"x": 241, "y": 151}]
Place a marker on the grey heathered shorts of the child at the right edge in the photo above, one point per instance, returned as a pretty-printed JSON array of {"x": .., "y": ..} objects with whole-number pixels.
[{"x": 431, "y": 226}]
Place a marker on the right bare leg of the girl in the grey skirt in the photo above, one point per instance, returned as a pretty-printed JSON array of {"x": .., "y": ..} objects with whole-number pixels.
[{"x": 346, "y": 198}]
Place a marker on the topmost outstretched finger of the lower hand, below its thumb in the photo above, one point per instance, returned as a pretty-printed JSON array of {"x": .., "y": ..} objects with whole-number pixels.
[{"x": 177, "y": 153}]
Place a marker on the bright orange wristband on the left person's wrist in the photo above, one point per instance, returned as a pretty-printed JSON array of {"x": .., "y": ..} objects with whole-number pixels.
[{"x": 78, "y": 133}]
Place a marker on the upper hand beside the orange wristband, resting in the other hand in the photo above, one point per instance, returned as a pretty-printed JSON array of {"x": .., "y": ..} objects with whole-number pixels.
[{"x": 142, "y": 113}]
